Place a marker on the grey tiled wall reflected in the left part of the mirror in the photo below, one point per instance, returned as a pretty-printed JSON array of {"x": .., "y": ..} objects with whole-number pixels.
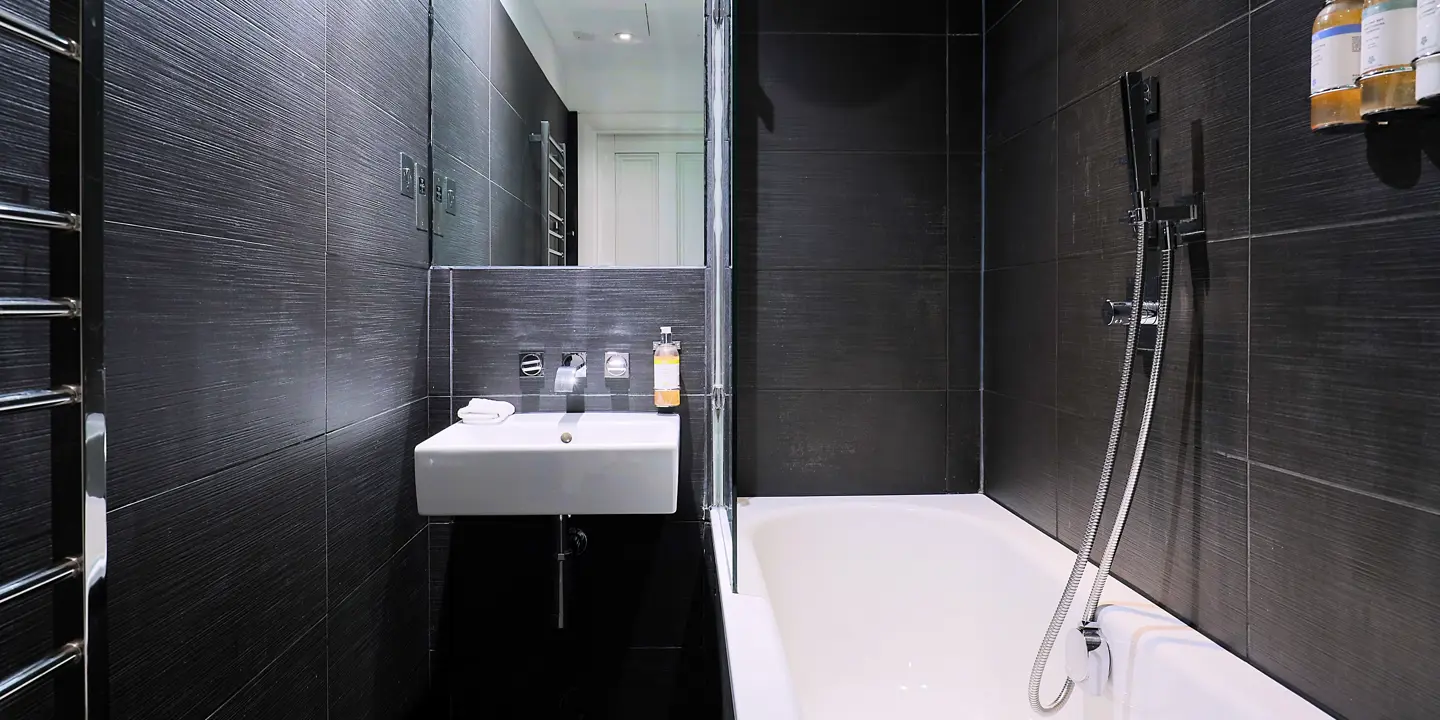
[{"x": 490, "y": 96}]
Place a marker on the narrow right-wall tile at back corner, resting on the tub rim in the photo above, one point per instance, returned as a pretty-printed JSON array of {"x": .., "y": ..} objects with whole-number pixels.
[{"x": 1020, "y": 459}]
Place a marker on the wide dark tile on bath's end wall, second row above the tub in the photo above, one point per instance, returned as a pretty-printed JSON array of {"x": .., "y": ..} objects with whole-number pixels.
[{"x": 839, "y": 330}]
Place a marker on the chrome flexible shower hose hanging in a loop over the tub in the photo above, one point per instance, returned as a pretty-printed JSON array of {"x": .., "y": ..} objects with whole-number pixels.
[{"x": 1048, "y": 646}]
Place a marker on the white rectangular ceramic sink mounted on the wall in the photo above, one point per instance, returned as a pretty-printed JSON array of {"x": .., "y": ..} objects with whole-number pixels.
[{"x": 552, "y": 464}]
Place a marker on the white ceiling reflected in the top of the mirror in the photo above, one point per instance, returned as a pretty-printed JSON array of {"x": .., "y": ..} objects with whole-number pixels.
[{"x": 662, "y": 71}]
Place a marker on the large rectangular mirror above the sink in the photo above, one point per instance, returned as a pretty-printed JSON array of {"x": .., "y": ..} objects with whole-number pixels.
[{"x": 568, "y": 133}]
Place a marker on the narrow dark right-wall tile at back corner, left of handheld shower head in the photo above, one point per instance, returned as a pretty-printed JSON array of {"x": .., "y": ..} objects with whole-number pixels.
[{"x": 1020, "y": 199}]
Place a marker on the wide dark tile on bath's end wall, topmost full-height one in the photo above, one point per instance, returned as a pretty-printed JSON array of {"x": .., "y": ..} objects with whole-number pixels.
[{"x": 842, "y": 91}]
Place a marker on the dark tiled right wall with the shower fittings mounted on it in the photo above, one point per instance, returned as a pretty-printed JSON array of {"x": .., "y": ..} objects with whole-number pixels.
[{"x": 1290, "y": 473}]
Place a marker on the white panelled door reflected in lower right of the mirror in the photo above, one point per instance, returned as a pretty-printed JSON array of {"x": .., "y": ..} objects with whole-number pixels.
[{"x": 652, "y": 211}]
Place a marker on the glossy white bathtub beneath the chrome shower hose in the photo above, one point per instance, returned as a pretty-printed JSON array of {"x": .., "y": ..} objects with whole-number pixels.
[{"x": 918, "y": 608}]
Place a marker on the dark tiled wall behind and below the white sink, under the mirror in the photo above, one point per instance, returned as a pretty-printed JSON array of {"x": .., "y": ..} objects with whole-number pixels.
[{"x": 639, "y": 639}]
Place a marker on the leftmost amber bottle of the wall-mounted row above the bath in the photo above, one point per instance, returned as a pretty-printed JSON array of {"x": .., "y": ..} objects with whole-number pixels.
[{"x": 1336, "y": 42}]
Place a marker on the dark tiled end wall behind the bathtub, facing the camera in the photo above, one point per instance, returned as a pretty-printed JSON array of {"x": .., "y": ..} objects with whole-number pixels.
[{"x": 858, "y": 248}]
